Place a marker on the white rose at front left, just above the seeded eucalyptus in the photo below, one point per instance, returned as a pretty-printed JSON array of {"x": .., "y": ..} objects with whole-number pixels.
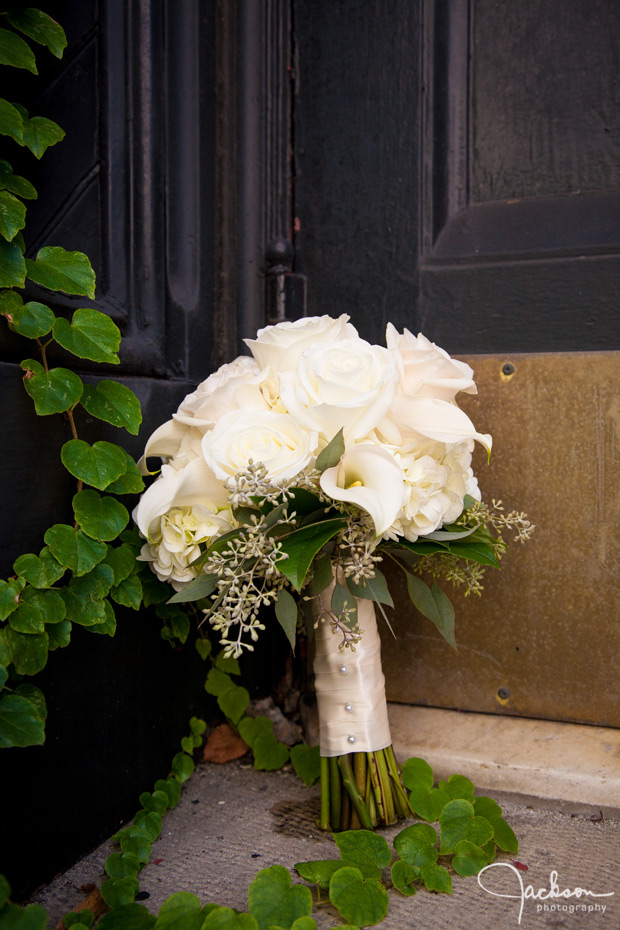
[{"x": 283, "y": 446}]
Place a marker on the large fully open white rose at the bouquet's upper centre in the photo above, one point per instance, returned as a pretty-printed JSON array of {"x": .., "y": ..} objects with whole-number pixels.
[{"x": 349, "y": 384}]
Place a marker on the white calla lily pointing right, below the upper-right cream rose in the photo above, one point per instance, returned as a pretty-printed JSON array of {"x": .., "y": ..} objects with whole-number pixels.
[{"x": 435, "y": 419}]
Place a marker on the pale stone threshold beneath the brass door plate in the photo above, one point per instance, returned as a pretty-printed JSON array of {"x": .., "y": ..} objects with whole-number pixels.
[{"x": 541, "y": 759}]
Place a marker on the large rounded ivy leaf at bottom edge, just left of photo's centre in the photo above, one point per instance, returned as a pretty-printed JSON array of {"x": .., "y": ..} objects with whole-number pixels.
[{"x": 272, "y": 900}]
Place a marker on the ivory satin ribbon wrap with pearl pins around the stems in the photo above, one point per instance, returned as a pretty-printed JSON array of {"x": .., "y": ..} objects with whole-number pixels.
[{"x": 350, "y": 688}]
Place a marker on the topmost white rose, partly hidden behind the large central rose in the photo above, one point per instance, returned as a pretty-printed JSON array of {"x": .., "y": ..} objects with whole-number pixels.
[{"x": 281, "y": 345}]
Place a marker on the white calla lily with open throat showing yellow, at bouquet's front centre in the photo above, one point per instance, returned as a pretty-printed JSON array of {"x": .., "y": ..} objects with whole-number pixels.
[{"x": 371, "y": 478}]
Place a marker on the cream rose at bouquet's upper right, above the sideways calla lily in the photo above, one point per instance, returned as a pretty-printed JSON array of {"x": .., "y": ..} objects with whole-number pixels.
[{"x": 425, "y": 368}]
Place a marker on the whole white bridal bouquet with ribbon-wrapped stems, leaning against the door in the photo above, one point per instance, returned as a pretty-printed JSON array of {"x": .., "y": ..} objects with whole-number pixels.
[{"x": 288, "y": 477}]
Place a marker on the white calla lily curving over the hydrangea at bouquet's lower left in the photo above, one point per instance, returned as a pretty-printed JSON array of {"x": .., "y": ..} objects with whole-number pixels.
[{"x": 194, "y": 484}]
